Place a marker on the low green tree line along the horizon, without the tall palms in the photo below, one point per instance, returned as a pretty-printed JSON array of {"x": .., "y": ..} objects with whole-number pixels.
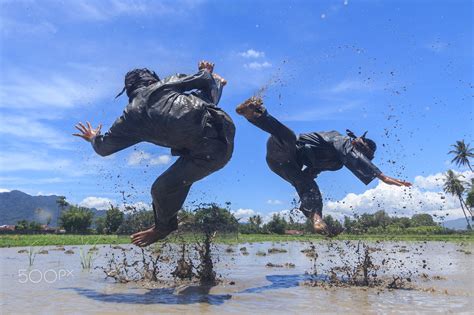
[{"x": 79, "y": 220}]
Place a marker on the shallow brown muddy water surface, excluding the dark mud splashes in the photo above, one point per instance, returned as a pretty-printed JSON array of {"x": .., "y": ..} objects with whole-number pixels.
[{"x": 441, "y": 277}]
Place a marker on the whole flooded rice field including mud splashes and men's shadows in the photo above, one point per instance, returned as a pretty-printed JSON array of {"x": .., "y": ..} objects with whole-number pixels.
[{"x": 292, "y": 277}]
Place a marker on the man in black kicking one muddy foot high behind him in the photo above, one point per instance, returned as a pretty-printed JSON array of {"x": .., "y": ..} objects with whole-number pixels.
[{"x": 299, "y": 160}]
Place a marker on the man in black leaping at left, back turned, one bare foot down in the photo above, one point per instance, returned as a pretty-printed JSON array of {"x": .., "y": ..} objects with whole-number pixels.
[{"x": 181, "y": 113}]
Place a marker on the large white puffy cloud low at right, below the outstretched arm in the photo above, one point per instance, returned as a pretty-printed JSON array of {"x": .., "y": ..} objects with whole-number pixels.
[{"x": 426, "y": 196}]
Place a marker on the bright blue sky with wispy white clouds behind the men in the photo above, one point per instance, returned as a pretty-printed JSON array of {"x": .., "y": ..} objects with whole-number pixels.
[{"x": 400, "y": 69}]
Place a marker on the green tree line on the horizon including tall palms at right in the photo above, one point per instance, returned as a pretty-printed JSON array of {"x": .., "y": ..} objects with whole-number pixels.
[{"x": 76, "y": 219}]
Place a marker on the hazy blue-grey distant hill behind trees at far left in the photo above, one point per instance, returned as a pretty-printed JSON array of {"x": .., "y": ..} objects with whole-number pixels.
[{"x": 17, "y": 205}]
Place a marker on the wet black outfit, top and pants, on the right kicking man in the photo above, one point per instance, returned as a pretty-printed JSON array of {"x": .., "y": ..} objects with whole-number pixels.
[{"x": 300, "y": 159}]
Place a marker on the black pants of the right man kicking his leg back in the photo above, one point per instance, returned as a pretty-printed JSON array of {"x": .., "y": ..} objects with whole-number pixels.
[{"x": 283, "y": 160}]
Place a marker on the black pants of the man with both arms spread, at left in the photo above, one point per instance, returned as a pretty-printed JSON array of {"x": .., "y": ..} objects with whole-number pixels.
[{"x": 206, "y": 154}]
